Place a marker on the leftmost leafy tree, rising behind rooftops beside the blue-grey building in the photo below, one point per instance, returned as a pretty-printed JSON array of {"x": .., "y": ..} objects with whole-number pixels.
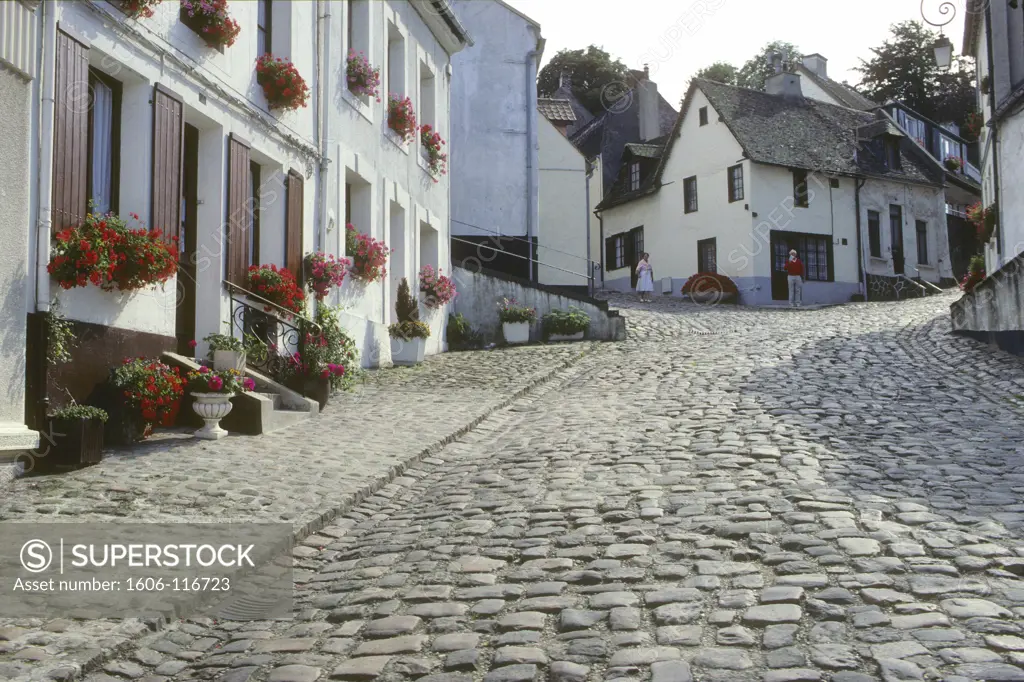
[{"x": 591, "y": 71}]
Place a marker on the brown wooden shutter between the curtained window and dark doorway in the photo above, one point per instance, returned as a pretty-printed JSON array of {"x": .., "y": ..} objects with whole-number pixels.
[{"x": 168, "y": 147}]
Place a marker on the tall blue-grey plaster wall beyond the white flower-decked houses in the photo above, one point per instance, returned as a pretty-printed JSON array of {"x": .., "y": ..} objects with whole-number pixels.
[{"x": 491, "y": 107}]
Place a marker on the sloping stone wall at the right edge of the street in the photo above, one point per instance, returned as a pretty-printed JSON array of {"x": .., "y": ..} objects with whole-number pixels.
[{"x": 994, "y": 313}]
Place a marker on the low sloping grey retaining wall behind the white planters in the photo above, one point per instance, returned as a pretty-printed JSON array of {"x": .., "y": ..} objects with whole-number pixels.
[{"x": 480, "y": 292}]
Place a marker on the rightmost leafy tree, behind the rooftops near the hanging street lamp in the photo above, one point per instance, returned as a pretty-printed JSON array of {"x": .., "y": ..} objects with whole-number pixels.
[{"x": 904, "y": 68}]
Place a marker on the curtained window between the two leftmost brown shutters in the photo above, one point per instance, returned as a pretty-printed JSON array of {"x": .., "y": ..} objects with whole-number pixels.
[{"x": 105, "y": 142}]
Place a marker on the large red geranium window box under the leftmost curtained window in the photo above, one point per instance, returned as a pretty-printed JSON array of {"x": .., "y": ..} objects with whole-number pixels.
[{"x": 105, "y": 252}]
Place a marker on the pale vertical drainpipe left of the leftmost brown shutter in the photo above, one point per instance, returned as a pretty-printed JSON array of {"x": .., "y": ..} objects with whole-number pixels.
[{"x": 45, "y": 181}]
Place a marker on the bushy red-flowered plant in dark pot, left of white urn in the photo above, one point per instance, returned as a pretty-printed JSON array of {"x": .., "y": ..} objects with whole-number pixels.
[{"x": 147, "y": 393}]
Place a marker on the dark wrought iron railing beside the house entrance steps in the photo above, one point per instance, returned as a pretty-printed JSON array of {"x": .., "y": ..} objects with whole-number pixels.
[{"x": 272, "y": 334}]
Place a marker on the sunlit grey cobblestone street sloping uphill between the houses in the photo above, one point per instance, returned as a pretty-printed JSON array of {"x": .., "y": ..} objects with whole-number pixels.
[{"x": 730, "y": 495}]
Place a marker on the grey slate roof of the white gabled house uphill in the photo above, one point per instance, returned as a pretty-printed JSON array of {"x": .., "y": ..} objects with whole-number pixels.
[{"x": 794, "y": 134}]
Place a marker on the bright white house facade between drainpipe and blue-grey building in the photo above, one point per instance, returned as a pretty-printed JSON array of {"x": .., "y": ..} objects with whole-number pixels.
[{"x": 385, "y": 174}]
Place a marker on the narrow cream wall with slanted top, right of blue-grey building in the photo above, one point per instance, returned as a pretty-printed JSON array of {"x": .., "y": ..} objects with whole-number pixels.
[{"x": 563, "y": 236}]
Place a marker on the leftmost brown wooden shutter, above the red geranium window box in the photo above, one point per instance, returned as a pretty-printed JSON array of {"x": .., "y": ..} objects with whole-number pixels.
[{"x": 71, "y": 134}]
